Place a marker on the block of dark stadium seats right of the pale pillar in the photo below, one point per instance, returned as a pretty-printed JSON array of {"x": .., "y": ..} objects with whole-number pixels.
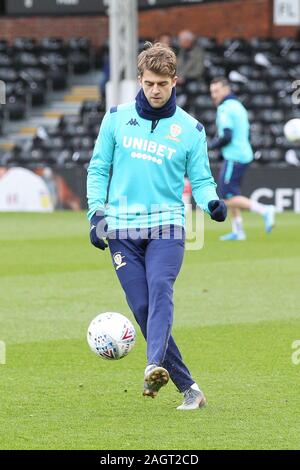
[{"x": 265, "y": 89}]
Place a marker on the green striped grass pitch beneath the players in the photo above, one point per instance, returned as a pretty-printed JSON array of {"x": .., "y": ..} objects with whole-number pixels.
[{"x": 236, "y": 316}]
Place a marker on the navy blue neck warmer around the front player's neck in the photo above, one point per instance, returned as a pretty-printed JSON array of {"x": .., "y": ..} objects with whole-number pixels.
[{"x": 146, "y": 111}]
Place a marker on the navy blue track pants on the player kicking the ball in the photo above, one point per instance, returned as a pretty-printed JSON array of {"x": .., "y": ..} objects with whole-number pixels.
[{"x": 147, "y": 269}]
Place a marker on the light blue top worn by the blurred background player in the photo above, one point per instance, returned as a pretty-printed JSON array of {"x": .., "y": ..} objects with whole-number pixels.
[{"x": 231, "y": 114}]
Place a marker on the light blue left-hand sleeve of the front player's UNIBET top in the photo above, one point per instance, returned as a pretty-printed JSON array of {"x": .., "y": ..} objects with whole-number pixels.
[{"x": 99, "y": 167}]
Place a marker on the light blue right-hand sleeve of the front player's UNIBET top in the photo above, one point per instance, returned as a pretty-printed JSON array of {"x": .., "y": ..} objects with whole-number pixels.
[{"x": 199, "y": 173}]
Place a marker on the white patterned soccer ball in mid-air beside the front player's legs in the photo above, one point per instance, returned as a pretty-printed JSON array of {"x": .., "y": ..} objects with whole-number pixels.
[{"x": 111, "y": 335}]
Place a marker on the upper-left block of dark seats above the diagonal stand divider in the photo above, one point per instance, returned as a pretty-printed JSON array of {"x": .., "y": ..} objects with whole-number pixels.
[{"x": 30, "y": 69}]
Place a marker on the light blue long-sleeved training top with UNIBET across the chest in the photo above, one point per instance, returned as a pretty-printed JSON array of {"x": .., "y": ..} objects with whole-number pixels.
[{"x": 148, "y": 169}]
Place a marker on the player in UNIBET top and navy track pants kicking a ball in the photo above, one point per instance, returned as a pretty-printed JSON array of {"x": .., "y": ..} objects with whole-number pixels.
[{"x": 148, "y": 146}]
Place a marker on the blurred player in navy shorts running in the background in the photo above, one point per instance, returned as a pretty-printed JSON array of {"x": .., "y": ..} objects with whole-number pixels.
[{"x": 233, "y": 140}]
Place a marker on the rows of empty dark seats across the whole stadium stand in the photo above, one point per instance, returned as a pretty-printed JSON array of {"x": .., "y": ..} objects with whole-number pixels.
[{"x": 262, "y": 72}]
